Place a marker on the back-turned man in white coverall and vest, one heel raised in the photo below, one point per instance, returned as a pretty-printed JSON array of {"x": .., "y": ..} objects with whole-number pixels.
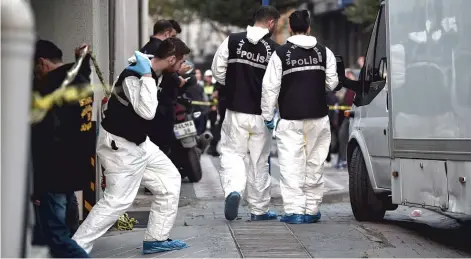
[{"x": 239, "y": 65}]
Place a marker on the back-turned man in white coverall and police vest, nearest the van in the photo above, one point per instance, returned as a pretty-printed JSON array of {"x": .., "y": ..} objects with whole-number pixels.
[{"x": 296, "y": 78}]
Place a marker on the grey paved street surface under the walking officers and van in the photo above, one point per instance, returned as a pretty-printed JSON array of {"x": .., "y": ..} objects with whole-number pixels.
[{"x": 201, "y": 223}]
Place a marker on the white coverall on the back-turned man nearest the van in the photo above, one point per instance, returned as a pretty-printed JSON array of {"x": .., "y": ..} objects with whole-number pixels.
[{"x": 303, "y": 145}]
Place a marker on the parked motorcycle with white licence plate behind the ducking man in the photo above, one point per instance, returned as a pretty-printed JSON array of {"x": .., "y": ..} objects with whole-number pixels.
[{"x": 188, "y": 145}]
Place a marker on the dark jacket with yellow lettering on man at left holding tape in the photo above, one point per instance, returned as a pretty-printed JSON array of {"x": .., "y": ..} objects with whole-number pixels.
[{"x": 63, "y": 143}]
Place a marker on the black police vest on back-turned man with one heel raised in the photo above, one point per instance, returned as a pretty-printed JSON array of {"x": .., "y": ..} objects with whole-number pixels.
[{"x": 245, "y": 69}]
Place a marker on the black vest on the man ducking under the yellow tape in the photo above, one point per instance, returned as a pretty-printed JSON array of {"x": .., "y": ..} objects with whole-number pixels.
[{"x": 120, "y": 119}]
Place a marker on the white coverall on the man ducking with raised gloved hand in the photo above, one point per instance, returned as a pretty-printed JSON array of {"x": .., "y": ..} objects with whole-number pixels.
[{"x": 127, "y": 167}]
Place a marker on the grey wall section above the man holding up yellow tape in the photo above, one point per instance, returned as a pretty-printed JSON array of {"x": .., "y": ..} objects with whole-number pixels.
[{"x": 87, "y": 23}]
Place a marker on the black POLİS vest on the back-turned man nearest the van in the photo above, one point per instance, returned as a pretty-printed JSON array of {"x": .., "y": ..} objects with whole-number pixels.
[{"x": 302, "y": 94}]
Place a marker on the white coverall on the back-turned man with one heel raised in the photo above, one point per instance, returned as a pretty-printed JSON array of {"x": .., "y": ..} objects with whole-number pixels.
[{"x": 244, "y": 135}]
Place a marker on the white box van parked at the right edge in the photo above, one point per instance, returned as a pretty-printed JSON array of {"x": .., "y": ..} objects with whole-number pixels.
[{"x": 410, "y": 127}]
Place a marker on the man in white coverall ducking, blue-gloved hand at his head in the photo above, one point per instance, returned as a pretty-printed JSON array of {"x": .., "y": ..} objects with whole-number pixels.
[{"x": 130, "y": 157}]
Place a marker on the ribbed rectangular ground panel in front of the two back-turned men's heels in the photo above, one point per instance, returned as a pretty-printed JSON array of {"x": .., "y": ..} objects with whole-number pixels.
[{"x": 270, "y": 239}]
